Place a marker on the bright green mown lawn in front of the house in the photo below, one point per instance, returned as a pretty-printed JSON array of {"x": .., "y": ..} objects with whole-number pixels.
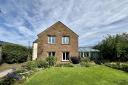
[{"x": 96, "y": 75}]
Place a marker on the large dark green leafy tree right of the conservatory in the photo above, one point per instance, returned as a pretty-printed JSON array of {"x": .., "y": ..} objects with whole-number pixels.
[{"x": 114, "y": 48}]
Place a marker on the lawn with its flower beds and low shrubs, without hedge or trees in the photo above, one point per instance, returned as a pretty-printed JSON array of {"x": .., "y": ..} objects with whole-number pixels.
[{"x": 47, "y": 72}]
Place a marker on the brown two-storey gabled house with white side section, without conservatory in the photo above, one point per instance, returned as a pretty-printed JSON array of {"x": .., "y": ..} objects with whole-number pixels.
[{"x": 56, "y": 41}]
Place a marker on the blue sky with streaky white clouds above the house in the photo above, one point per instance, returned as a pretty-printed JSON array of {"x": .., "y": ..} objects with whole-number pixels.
[{"x": 92, "y": 20}]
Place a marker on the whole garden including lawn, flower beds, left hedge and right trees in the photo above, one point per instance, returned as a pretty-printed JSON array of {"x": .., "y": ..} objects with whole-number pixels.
[{"x": 110, "y": 68}]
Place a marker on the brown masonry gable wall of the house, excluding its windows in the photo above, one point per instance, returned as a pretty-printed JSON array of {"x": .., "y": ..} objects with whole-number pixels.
[{"x": 59, "y": 30}]
